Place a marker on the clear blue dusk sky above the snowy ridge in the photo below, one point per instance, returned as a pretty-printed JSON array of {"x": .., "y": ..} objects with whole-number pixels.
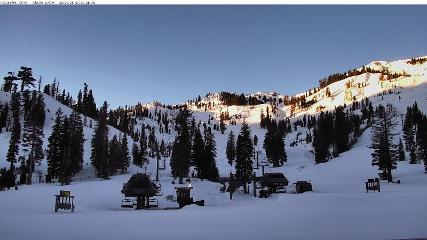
[{"x": 136, "y": 53}]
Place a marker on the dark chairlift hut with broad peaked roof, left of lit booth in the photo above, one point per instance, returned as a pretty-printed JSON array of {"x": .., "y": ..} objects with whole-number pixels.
[{"x": 142, "y": 188}]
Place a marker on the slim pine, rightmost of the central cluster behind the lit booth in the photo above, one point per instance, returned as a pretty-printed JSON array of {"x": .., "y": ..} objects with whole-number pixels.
[{"x": 212, "y": 172}]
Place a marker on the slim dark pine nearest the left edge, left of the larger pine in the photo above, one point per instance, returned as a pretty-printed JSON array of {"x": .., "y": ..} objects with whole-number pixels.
[{"x": 15, "y": 138}]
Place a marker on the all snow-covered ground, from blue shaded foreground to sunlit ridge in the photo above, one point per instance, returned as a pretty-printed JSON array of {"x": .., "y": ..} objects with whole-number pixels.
[{"x": 338, "y": 208}]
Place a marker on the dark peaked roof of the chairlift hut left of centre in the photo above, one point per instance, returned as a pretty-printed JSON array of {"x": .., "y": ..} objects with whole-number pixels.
[{"x": 140, "y": 185}]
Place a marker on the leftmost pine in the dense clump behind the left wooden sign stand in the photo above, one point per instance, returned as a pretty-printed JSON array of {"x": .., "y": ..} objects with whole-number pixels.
[{"x": 54, "y": 148}]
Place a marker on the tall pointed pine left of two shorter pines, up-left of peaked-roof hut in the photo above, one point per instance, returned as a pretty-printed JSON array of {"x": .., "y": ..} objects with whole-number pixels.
[{"x": 99, "y": 155}]
